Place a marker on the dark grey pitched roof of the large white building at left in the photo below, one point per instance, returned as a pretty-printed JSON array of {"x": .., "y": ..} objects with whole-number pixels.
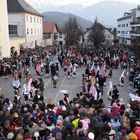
[{"x": 21, "y": 6}]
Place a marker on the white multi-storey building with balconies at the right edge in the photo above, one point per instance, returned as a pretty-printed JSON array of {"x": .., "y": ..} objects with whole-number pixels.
[{"x": 129, "y": 26}]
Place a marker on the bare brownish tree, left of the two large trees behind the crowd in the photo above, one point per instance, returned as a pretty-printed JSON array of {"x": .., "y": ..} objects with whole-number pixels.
[{"x": 73, "y": 32}]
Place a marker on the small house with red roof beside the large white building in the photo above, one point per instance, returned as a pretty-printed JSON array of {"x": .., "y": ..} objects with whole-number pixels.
[{"x": 50, "y": 34}]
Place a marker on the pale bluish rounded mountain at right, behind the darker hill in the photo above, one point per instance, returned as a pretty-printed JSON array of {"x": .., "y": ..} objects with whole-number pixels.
[{"x": 107, "y": 12}]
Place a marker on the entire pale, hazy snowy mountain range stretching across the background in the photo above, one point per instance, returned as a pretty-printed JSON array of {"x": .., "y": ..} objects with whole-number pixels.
[{"x": 107, "y": 12}]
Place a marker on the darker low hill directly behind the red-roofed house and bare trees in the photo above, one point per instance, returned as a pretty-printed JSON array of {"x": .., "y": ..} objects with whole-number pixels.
[{"x": 62, "y": 18}]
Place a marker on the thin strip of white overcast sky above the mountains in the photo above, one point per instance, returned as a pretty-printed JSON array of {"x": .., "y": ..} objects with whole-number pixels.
[{"x": 65, "y": 2}]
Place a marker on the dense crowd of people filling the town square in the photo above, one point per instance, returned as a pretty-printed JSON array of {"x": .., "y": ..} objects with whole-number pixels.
[{"x": 84, "y": 117}]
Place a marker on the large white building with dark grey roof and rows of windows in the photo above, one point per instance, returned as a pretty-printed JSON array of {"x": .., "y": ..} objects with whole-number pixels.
[{"x": 25, "y": 25}]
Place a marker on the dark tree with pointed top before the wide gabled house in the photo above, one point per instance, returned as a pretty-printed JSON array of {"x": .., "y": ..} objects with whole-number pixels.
[{"x": 96, "y": 34}]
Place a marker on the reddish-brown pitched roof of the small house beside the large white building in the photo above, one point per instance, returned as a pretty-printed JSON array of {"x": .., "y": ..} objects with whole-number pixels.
[{"x": 48, "y": 27}]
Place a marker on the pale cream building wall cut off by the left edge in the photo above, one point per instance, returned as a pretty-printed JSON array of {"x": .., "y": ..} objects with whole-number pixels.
[{"x": 4, "y": 36}]
